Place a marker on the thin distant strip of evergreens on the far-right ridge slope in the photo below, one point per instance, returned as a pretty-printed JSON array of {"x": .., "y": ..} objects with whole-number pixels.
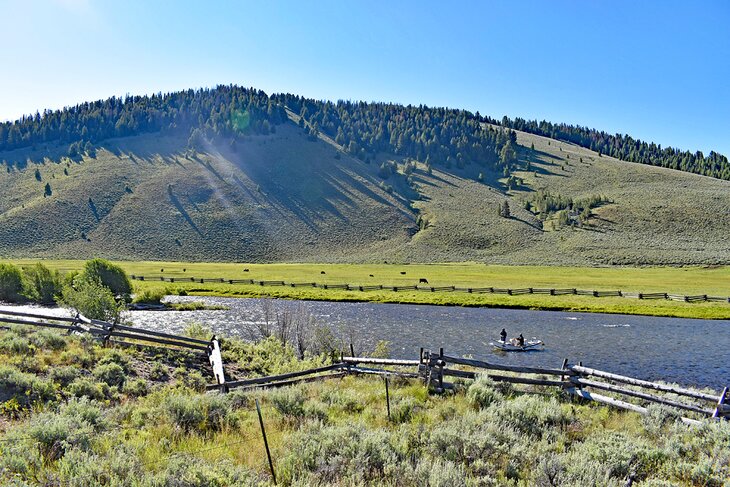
[{"x": 627, "y": 148}]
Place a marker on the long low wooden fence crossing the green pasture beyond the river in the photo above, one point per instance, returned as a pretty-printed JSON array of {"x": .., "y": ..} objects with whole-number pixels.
[{"x": 432, "y": 289}]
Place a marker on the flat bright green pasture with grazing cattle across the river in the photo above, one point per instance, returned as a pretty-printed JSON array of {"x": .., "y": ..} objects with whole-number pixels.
[{"x": 714, "y": 281}]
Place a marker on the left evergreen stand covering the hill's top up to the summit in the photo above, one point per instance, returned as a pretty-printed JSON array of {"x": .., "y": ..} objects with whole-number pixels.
[{"x": 224, "y": 110}]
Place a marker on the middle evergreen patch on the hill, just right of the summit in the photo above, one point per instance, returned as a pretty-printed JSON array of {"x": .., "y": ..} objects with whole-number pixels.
[{"x": 432, "y": 135}]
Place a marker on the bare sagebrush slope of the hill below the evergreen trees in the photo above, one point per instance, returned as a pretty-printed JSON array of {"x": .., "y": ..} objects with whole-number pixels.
[{"x": 295, "y": 194}]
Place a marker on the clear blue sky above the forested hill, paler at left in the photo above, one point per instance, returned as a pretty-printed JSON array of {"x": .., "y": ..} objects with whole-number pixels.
[{"x": 657, "y": 70}]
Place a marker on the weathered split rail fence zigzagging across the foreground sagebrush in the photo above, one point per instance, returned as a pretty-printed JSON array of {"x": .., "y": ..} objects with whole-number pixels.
[{"x": 435, "y": 369}]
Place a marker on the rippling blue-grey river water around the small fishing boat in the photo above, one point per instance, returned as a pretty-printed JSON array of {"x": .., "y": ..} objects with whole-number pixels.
[{"x": 684, "y": 351}]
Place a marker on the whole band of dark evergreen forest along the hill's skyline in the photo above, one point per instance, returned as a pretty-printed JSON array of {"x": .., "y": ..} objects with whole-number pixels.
[{"x": 433, "y": 135}]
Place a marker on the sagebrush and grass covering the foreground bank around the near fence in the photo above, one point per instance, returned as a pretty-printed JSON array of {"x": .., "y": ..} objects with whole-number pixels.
[{"x": 82, "y": 414}]
